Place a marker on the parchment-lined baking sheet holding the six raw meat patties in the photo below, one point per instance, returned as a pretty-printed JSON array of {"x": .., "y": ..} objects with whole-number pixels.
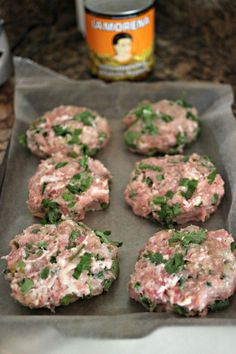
[{"x": 111, "y": 314}]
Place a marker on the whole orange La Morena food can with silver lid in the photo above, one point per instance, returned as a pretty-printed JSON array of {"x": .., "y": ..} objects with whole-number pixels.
[{"x": 120, "y": 38}]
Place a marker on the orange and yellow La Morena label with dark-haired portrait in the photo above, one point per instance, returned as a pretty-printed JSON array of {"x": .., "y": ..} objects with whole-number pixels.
[{"x": 120, "y": 48}]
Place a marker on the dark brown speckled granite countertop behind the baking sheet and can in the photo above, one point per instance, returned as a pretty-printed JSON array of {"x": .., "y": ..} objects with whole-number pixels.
[{"x": 200, "y": 50}]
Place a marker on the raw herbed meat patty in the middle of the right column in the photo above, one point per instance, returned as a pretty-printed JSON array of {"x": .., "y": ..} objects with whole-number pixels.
[{"x": 175, "y": 189}]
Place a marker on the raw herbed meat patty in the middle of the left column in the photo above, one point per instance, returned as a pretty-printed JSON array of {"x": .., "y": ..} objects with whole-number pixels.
[{"x": 68, "y": 187}]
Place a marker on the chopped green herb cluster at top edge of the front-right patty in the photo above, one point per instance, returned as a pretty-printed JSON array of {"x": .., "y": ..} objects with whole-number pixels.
[{"x": 187, "y": 237}]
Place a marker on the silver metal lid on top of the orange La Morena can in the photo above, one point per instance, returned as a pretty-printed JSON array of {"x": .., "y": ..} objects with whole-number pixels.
[{"x": 117, "y": 7}]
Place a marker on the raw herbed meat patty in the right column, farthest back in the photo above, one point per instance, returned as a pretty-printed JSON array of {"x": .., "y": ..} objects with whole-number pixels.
[{"x": 162, "y": 127}]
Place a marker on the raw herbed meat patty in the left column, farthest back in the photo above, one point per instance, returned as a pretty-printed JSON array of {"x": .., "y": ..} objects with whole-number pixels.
[{"x": 68, "y": 129}]
